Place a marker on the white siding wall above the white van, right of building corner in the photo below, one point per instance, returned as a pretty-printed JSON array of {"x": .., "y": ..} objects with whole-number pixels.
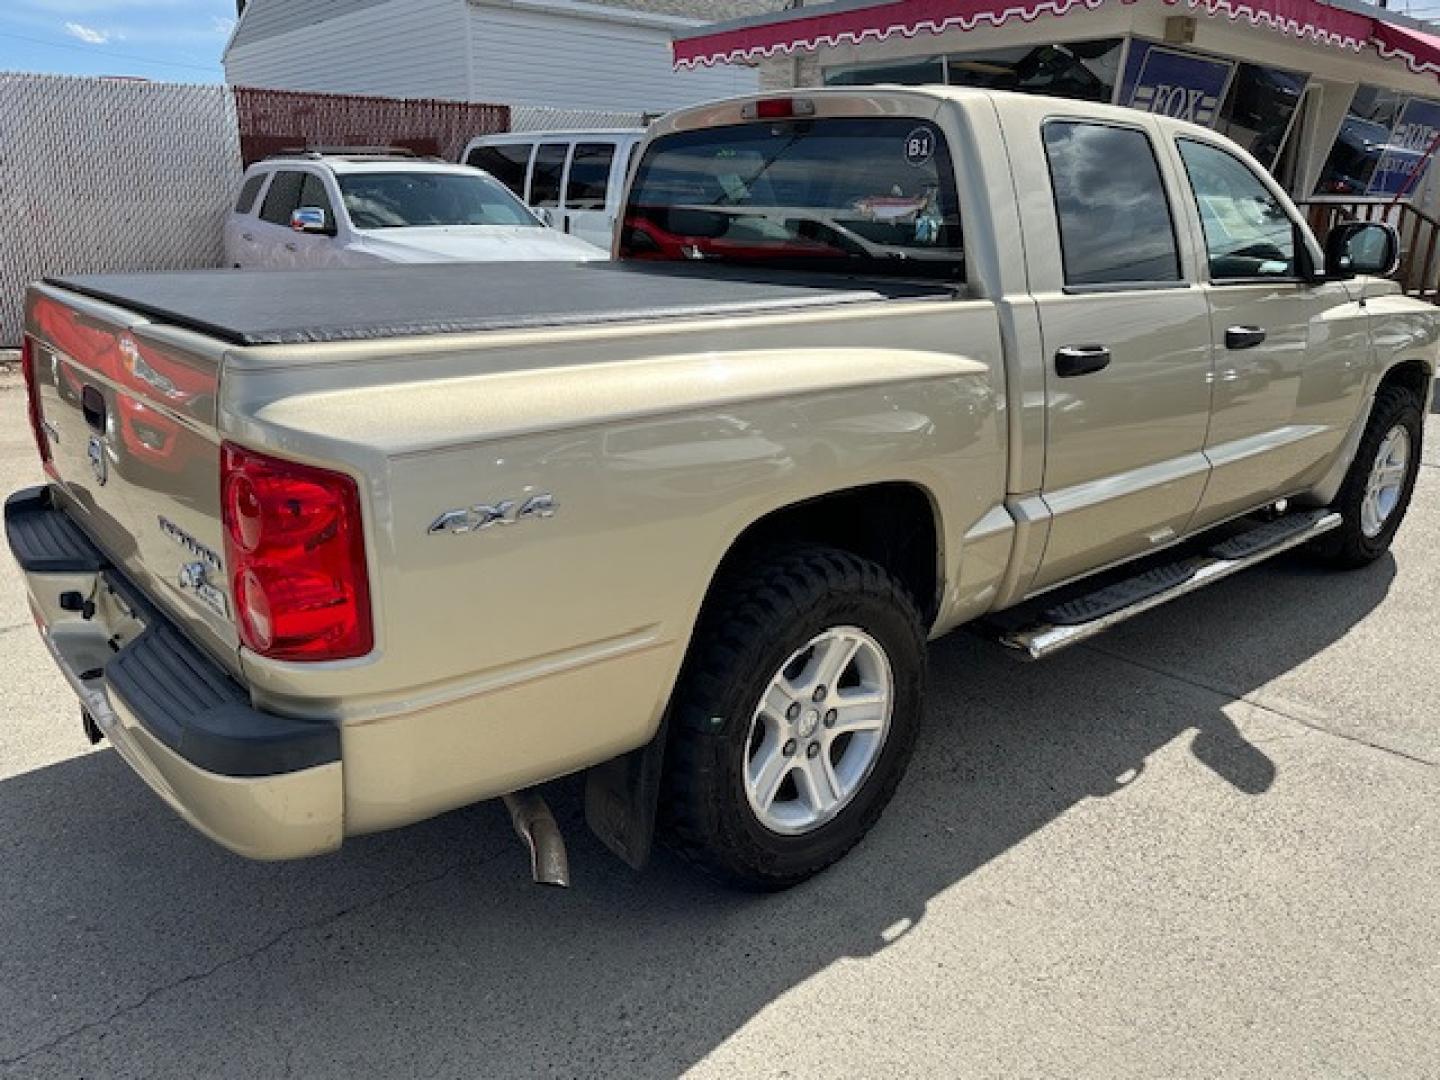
[{"x": 568, "y": 58}]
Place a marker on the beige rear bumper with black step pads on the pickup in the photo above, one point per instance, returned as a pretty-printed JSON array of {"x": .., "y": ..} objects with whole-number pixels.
[{"x": 261, "y": 786}]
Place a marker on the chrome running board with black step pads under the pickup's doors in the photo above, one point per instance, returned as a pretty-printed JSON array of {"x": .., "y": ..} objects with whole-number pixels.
[{"x": 1085, "y": 617}]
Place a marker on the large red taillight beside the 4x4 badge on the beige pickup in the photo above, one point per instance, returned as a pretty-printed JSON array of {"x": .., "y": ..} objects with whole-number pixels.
[{"x": 296, "y": 549}]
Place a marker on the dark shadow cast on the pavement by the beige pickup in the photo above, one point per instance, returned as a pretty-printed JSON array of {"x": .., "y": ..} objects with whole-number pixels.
[{"x": 129, "y": 945}]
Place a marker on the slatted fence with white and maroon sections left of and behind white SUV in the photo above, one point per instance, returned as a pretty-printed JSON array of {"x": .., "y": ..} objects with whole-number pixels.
[{"x": 117, "y": 175}]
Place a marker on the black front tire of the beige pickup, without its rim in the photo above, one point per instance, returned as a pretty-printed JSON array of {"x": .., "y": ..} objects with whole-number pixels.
[{"x": 1349, "y": 548}]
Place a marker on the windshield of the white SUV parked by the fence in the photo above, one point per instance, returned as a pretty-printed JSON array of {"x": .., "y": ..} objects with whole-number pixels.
[{"x": 395, "y": 201}]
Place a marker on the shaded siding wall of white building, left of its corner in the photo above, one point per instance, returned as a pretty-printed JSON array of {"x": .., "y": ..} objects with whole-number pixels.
[{"x": 401, "y": 50}]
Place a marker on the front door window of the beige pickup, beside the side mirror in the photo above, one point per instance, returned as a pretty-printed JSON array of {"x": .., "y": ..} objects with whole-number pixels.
[{"x": 1248, "y": 233}]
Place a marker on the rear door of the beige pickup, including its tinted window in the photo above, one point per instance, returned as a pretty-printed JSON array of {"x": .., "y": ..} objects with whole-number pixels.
[{"x": 1127, "y": 345}]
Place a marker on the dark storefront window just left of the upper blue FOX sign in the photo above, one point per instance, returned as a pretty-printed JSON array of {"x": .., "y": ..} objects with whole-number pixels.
[{"x": 1076, "y": 70}]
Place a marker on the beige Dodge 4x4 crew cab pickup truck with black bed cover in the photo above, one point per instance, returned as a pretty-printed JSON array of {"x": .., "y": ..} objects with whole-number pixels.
[{"x": 326, "y": 554}]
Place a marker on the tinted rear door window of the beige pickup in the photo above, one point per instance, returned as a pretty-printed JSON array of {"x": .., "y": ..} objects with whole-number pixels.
[{"x": 1115, "y": 221}]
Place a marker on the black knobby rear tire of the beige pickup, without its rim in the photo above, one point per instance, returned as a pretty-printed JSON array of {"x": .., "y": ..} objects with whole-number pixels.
[{"x": 758, "y": 620}]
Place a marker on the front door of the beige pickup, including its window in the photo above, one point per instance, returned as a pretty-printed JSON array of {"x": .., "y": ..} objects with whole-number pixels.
[{"x": 1291, "y": 355}]
